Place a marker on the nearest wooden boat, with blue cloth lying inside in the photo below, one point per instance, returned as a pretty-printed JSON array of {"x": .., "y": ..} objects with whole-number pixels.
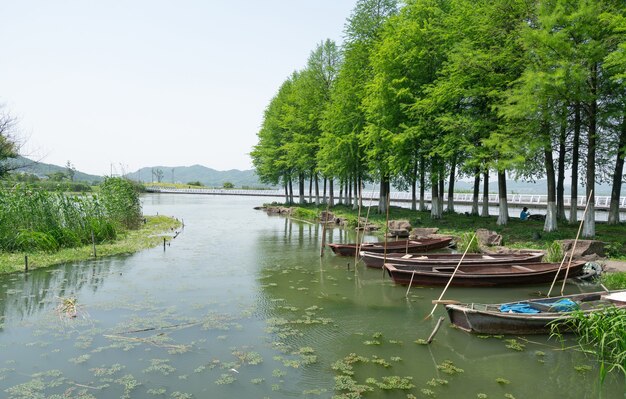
[{"x": 511, "y": 318}]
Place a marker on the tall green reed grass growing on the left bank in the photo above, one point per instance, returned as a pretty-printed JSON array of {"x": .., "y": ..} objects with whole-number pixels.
[{"x": 33, "y": 219}]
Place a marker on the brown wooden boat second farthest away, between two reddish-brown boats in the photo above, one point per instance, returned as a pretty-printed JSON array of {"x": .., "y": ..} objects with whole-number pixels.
[{"x": 376, "y": 260}]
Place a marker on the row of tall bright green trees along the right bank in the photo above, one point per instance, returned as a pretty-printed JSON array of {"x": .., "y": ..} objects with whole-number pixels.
[{"x": 432, "y": 90}]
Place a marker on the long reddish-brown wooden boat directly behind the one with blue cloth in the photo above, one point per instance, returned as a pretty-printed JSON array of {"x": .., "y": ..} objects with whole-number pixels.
[{"x": 482, "y": 275}]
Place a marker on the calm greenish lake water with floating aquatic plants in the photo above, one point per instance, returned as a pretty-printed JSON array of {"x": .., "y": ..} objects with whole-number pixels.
[{"x": 241, "y": 305}]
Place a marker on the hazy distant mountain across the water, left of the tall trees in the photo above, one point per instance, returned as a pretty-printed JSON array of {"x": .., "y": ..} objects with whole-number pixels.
[{"x": 207, "y": 176}]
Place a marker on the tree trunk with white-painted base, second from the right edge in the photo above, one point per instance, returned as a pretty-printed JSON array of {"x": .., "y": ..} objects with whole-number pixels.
[{"x": 589, "y": 228}]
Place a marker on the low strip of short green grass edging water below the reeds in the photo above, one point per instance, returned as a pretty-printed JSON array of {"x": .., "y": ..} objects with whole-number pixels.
[{"x": 147, "y": 236}]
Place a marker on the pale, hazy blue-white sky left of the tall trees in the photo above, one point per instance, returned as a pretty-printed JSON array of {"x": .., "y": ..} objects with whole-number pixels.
[{"x": 116, "y": 85}]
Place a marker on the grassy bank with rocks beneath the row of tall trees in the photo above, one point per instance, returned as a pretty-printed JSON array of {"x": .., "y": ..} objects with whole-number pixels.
[{"x": 516, "y": 234}]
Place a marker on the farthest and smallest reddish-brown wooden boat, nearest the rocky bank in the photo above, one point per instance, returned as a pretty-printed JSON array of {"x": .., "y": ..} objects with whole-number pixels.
[{"x": 400, "y": 246}]
